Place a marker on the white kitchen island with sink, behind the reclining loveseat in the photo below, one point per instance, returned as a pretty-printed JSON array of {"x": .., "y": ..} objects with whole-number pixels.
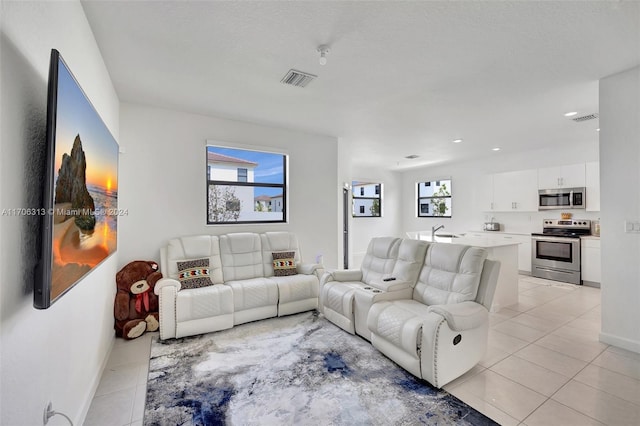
[{"x": 497, "y": 249}]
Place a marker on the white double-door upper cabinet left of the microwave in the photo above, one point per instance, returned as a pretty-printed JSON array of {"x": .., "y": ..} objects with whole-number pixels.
[{"x": 515, "y": 191}]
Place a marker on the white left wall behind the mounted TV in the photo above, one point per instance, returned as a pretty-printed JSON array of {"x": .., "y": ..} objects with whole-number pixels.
[{"x": 57, "y": 354}]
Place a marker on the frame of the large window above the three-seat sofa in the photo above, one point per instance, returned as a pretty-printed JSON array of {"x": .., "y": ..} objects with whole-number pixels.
[{"x": 233, "y": 184}]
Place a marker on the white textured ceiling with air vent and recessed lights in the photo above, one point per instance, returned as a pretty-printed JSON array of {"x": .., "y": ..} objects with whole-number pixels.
[{"x": 401, "y": 77}]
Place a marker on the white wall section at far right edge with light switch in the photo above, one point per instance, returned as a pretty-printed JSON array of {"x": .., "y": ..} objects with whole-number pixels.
[{"x": 620, "y": 183}]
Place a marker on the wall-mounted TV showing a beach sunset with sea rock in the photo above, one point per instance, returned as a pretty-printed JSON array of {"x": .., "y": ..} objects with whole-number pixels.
[{"x": 80, "y": 209}]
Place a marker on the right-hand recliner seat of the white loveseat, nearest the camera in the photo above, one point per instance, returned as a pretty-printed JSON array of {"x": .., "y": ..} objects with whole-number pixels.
[{"x": 442, "y": 331}]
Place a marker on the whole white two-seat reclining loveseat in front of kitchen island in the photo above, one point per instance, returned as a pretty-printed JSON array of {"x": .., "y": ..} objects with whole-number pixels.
[{"x": 432, "y": 319}]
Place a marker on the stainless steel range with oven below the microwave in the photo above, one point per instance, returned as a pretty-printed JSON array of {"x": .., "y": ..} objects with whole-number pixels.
[{"x": 555, "y": 253}]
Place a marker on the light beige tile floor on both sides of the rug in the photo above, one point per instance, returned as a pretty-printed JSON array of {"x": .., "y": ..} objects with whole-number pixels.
[{"x": 545, "y": 366}]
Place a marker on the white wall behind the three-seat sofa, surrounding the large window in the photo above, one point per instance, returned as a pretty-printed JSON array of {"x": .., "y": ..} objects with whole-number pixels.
[{"x": 163, "y": 174}]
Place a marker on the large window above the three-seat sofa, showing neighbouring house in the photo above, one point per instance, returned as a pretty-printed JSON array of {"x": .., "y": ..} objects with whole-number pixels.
[{"x": 245, "y": 186}]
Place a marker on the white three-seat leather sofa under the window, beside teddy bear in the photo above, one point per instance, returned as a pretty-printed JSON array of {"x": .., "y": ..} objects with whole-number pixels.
[{"x": 245, "y": 287}]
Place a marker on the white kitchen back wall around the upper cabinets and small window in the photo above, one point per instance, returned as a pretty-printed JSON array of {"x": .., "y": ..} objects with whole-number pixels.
[{"x": 466, "y": 182}]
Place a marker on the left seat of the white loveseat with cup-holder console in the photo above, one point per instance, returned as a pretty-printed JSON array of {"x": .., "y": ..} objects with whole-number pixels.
[{"x": 389, "y": 271}]
